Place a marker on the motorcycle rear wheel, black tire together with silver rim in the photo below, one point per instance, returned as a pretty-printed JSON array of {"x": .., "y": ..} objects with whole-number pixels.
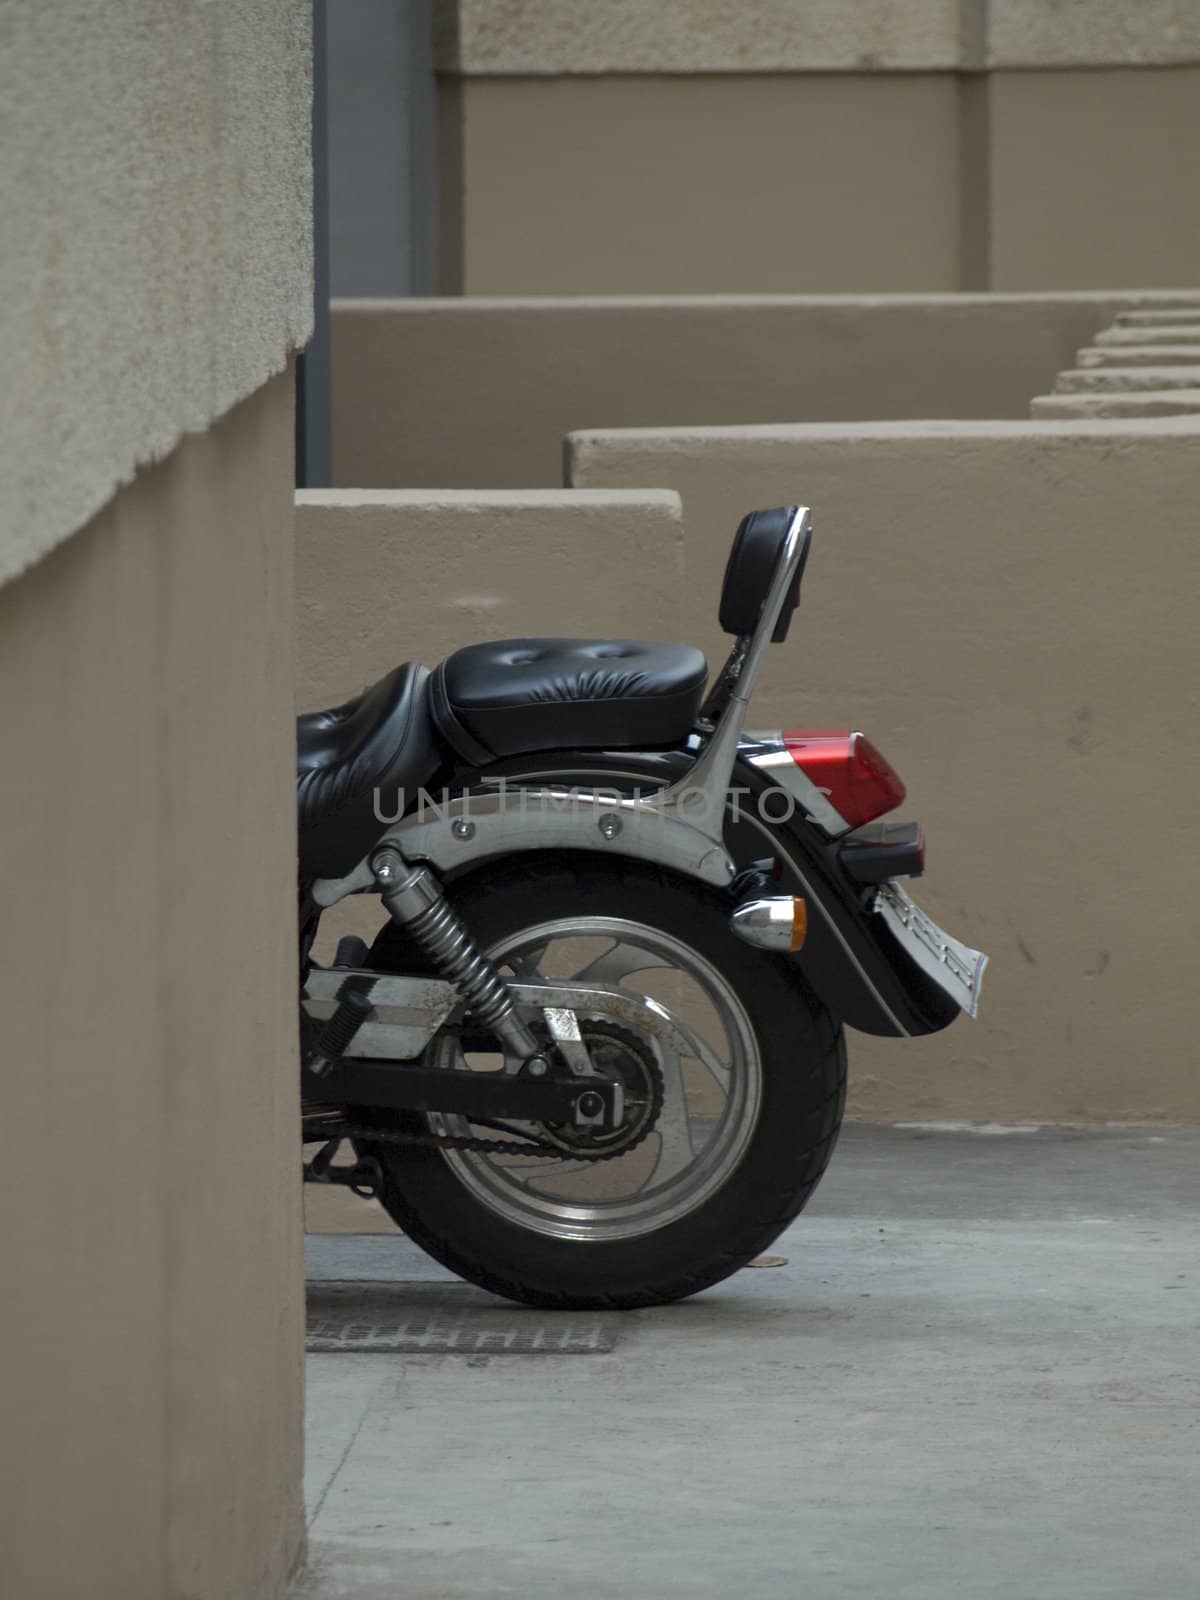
[{"x": 750, "y": 1114}]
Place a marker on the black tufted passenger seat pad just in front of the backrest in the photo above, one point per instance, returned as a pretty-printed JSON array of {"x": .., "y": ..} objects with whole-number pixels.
[{"x": 526, "y": 695}]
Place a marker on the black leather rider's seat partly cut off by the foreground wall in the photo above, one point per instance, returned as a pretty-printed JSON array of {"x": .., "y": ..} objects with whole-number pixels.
[{"x": 382, "y": 740}]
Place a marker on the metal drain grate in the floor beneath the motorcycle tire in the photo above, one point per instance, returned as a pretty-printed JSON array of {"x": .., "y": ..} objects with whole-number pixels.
[{"x": 436, "y": 1319}]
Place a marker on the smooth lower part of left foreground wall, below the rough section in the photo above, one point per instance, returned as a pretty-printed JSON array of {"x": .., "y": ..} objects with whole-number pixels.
[{"x": 150, "y": 1252}]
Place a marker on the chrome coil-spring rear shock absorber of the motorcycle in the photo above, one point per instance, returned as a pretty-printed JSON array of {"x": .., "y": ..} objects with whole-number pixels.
[{"x": 414, "y": 898}]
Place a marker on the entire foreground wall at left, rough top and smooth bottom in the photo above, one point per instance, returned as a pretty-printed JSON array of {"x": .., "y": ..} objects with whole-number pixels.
[{"x": 154, "y": 284}]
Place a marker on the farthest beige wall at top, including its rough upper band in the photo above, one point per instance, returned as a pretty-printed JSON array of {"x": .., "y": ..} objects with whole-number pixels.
[{"x": 929, "y": 145}]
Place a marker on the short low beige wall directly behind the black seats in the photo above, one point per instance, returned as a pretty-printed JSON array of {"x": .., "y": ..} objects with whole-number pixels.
[{"x": 388, "y": 577}]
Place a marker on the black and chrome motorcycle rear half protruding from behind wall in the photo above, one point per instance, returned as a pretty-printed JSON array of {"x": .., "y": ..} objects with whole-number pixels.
[{"x": 596, "y": 1055}]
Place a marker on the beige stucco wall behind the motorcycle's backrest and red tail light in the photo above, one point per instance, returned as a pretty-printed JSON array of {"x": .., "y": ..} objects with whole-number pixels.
[{"x": 999, "y": 604}]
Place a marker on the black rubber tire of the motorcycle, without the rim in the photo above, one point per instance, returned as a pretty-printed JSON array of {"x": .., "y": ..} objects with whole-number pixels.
[{"x": 802, "y": 1095}]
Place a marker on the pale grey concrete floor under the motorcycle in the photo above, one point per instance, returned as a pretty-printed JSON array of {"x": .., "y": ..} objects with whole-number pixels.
[{"x": 977, "y": 1375}]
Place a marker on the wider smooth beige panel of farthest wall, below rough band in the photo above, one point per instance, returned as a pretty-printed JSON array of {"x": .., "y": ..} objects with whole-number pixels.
[{"x": 700, "y": 185}]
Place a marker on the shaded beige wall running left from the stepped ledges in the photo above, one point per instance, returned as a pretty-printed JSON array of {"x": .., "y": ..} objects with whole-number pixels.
[{"x": 481, "y": 393}]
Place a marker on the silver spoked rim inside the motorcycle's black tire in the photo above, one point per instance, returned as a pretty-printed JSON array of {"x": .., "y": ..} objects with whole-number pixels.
[{"x": 713, "y": 1089}]
